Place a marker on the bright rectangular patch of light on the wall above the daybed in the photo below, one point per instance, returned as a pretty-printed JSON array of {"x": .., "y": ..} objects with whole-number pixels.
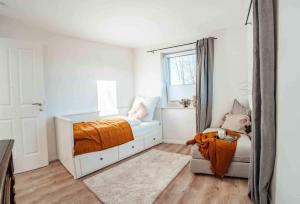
[{"x": 107, "y": 97}]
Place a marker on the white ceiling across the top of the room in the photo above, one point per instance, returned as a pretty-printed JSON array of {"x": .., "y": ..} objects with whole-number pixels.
[{"x": 130, "y": 23}]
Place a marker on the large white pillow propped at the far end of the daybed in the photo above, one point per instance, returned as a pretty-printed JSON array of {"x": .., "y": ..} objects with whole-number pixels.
[{"x": 149, "y": 102}]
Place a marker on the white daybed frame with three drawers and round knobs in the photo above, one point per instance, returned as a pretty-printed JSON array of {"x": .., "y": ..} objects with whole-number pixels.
[{"x": 81, "y": 165}]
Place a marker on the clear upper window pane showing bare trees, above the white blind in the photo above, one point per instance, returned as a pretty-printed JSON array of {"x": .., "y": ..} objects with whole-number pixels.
[{"x": 182, "y": 69}]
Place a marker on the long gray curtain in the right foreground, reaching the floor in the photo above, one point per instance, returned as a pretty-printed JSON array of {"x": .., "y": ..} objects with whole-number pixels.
[{"x": 264, "y": 101}]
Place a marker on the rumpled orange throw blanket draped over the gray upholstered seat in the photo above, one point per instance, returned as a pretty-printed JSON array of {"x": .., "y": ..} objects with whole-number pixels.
[{"x": 219, "y": 152}]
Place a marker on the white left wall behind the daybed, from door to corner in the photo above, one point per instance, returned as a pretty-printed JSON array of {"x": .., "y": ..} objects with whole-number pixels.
[{"x": 71, "y": 68}]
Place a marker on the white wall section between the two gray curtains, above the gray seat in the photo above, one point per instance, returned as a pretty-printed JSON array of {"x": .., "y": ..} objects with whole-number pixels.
[{"x": 231, "y": 71}]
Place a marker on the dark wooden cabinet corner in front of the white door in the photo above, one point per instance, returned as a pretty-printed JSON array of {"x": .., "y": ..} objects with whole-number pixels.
[{"x": 7, "y": 179}]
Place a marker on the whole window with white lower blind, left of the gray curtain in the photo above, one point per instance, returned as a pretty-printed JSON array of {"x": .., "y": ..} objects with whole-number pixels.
[{"x": 180, "y": 75}]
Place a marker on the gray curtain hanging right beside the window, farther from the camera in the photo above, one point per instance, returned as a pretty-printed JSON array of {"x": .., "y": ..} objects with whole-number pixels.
[{"x": 204, "y": 82}]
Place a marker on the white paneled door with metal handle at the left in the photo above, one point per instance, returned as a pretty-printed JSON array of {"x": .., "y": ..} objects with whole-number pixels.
[{"x": 22, "y": 115}]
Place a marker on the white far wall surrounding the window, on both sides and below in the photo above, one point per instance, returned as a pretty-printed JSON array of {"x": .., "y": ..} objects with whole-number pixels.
[{"x": 230, "y": 80}]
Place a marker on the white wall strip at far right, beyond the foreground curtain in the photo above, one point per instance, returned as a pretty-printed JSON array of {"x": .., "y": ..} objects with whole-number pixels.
[{"x": 288, "y": 100}]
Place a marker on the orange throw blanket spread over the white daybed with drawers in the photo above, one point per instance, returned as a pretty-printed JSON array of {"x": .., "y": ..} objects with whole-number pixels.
[{"x": 100, "y": 135}]
